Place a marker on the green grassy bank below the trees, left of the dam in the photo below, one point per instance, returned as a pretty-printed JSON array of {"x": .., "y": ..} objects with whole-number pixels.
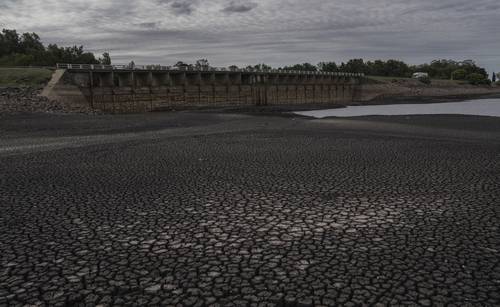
[{"x": 24, "y": 76}]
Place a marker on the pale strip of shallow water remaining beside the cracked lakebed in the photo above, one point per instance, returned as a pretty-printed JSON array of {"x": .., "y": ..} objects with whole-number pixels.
[{"x": 481, "y": 107}]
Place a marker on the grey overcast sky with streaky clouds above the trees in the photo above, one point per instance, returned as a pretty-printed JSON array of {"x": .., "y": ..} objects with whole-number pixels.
[{"x": 276, "y": 32}]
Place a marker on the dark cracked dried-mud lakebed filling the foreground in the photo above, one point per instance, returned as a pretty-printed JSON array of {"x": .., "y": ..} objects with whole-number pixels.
[{"x": 227, "y": 209}]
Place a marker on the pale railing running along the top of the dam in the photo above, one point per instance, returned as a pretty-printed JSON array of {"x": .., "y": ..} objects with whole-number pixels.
[{"x": 201, "y": 69}]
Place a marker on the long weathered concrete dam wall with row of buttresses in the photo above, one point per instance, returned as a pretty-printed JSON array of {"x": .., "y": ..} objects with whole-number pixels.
[{"x": 115, "y": 89}]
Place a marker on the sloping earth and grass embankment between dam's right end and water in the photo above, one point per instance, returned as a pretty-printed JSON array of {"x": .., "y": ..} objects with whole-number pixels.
[{"x": 393, "y": 90}]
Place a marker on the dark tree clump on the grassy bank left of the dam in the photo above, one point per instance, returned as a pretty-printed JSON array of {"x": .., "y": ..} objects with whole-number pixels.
[{"x": 27, "y": 50}]
